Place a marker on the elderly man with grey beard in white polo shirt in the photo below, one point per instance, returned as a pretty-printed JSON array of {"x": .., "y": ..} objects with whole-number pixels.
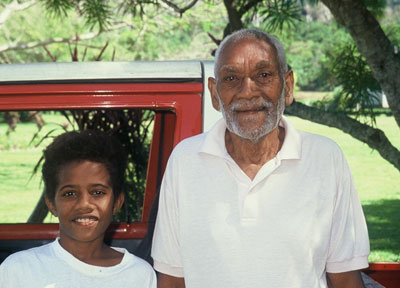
[{"x": 254, "y": 202}]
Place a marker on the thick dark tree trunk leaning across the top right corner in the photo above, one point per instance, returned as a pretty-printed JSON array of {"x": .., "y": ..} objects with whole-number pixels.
[{"x": 373, "y": 44}]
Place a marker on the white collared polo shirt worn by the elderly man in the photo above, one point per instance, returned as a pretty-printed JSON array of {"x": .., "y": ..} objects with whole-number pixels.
[{"x": 298, "y": 219}]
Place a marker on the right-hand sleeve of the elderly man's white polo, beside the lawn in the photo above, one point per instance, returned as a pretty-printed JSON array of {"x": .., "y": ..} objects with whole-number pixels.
[{"x": 349, "y": 243}]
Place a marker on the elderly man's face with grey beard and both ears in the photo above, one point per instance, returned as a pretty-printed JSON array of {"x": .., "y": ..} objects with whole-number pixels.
[{"x": 249, "y": 90}]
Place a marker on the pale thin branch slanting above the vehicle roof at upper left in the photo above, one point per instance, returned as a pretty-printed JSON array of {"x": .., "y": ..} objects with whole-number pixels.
[{"x": 34, "y": 44}]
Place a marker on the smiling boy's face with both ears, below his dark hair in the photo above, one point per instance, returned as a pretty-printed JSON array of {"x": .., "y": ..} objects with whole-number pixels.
[{"x": 84, "y": 202}]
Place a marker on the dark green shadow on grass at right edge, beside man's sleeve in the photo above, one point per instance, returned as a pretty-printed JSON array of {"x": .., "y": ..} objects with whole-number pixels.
[{"x": 383, "y": 220}]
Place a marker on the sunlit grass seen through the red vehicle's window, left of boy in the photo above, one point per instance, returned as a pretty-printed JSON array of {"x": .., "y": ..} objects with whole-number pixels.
[{"x": 19, "y": 188}]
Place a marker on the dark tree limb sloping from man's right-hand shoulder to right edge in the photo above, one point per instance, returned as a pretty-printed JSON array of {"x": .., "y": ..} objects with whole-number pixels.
[{"x": 374, "y": 138}]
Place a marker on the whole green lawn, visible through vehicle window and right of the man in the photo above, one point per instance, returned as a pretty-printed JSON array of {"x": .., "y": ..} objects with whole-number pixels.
[{"x": 377, "y": 181}]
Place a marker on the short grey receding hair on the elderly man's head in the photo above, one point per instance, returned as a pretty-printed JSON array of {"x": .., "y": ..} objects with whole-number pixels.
[{"x": 255, "y": 34}]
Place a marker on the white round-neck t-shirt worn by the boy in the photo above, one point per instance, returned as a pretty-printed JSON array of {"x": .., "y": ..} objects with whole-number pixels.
[{"x": 51, "y": 266}]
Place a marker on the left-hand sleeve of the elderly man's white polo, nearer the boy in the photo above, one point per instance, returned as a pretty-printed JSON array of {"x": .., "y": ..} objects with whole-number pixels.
[{"x": 166, "y": 246}]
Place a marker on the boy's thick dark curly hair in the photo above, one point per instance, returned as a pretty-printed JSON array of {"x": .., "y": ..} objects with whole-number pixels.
[{"x": 88, "y": 145}]
